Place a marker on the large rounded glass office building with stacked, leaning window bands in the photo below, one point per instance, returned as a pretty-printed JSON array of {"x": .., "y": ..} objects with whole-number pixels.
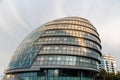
[{"x": 64, "y": 49}]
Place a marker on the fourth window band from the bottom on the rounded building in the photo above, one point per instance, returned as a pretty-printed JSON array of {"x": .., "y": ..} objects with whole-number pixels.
[{"x": 74, "y": 33}]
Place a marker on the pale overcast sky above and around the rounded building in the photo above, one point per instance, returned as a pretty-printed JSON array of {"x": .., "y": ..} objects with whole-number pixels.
[{"x": 19, "y": 17}]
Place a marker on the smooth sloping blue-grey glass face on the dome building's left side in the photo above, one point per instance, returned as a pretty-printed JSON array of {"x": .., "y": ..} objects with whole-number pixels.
[{"x": 26, "y": 52}]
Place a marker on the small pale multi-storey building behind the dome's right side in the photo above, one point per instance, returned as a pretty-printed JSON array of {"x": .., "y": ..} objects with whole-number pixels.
[{"x": 108, "y": 63}]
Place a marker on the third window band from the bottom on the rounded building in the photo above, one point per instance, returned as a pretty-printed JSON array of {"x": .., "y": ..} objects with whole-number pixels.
[{"x": 67, "y": 40}]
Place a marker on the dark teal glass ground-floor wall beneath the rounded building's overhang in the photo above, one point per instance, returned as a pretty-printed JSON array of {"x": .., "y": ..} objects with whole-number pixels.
[{"x": 56, "y": 74}]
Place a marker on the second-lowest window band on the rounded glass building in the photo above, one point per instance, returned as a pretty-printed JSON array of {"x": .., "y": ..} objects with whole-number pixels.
[{"x": 70, "y": 50}]
